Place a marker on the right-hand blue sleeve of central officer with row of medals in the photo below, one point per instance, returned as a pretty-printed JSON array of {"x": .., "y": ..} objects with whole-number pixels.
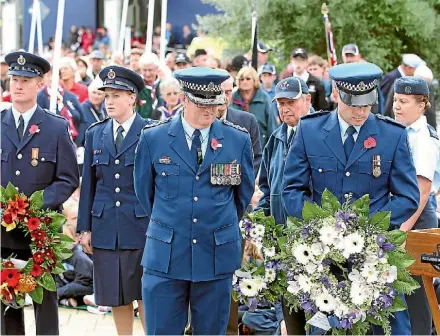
[{"x": 244, "y": 191}]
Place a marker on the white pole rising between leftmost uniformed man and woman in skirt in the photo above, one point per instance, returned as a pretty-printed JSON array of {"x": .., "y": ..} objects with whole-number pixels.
[{"x": 57, "y": 56}]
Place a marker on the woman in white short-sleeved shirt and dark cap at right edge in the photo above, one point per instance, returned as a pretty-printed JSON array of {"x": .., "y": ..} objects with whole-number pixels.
[{"x": 411, "y": 99}]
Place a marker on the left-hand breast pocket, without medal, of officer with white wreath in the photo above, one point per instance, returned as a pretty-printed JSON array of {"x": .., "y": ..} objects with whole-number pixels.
[{"x": 324, "y": 172}]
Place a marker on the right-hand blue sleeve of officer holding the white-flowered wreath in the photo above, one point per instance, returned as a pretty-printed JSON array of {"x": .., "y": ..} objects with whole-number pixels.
[{"x": 403, "y": 185}]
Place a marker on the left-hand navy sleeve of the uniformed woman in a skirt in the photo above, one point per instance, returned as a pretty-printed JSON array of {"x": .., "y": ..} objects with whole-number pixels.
[{"x": 88, "y": 187}]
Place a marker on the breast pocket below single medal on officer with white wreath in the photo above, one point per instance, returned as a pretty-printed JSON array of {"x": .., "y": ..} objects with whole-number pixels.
[{"x": 368, "y": 183}]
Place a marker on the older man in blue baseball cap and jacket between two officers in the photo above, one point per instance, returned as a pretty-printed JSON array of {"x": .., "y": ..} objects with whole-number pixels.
[{"x": 294, "y": 101}]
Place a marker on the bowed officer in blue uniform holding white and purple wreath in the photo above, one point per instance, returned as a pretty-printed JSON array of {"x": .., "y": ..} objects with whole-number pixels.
[{"x": 350, "y": 151}]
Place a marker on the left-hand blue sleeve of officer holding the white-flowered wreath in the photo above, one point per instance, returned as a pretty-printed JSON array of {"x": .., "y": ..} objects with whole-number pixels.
[{"x": 297, "y": 173}]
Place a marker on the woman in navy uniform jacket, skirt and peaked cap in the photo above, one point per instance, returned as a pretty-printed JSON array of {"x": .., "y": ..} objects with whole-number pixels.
[{"x": 111, "y": 221}]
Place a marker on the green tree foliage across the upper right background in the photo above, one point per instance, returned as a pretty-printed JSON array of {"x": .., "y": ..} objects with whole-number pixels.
[{"x": 383, "y": 29}]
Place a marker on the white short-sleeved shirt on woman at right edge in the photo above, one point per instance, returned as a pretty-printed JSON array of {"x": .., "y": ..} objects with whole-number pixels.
[{"x": 425, "y": 151}]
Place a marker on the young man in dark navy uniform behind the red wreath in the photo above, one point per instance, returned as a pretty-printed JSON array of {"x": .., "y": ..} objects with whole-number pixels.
[{"x": 39, "y": 159}]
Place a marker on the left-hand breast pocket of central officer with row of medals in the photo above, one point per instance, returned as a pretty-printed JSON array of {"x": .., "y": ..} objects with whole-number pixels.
[{"x": 167, "y": 179}]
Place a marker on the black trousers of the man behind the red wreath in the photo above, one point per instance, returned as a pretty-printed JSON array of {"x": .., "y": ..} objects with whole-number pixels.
[{"x": 46, "y": 313}]
